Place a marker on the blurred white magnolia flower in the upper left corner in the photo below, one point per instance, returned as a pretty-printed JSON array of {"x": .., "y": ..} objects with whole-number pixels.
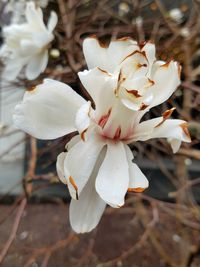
[{"x": 26, "y": 44}]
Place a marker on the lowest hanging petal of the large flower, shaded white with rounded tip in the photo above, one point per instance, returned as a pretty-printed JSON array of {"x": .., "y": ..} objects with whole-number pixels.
[{"x": 85, "y": 213}]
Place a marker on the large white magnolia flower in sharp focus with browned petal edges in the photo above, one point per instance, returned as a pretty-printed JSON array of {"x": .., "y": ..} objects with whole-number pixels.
[{"x": 124, "y": 81}]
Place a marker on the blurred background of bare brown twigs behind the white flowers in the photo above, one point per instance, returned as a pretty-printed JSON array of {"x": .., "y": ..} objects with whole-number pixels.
[{"x": 159, "y": 227}]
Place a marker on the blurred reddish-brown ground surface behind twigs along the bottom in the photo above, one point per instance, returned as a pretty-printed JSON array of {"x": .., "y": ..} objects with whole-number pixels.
[{"x": 46, "y": 226}]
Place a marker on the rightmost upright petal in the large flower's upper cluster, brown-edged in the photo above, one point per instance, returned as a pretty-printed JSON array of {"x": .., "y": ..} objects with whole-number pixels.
[{"x": 166, "y": 79}]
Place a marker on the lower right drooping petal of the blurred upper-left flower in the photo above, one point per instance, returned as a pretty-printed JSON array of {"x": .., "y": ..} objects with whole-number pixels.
[{"x": 37, "y": 65}]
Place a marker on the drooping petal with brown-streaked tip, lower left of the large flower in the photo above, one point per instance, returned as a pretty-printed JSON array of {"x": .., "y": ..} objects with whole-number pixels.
[{"x": 86, "y": 154}]
